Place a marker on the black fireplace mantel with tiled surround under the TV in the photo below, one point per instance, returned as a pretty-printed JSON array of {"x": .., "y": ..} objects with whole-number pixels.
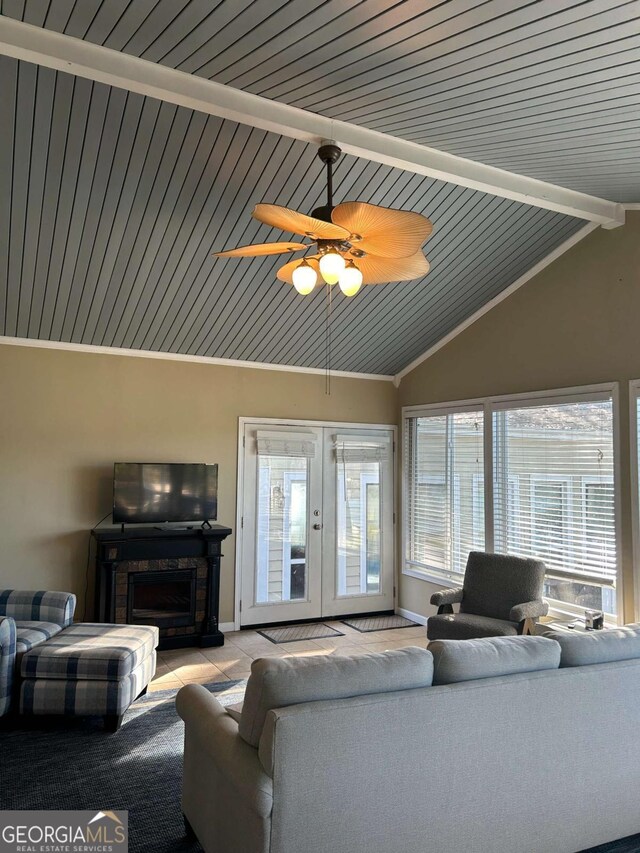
[{"x": 137, "y": 558}]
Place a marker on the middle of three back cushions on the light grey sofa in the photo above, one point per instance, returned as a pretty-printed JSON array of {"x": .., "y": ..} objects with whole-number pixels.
[{"x": 467, "y": 660}]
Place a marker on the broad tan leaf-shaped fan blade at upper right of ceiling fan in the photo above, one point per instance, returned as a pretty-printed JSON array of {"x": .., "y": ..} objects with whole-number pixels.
[{"x": 382, "y": 231}]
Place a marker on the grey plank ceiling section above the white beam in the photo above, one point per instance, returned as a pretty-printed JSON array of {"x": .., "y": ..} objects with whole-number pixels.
[{"x": 545, "y": 88}]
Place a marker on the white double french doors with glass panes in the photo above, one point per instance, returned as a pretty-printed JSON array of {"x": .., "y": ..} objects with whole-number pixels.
[{"x": 317, "y": 536}]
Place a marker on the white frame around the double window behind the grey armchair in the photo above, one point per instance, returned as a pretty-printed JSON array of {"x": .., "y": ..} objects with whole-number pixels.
[{"x": 492, "y": 404}]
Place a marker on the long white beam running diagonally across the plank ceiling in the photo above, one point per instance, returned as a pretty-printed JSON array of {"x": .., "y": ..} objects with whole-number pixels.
[{"x": 104, "y": 65}]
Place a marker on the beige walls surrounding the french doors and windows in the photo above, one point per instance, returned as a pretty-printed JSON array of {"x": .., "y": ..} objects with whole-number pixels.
[{"x": 65, "y": 417}]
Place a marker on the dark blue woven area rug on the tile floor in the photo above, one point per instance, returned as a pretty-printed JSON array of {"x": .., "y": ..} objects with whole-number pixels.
[{"x": 76, "y": 766}]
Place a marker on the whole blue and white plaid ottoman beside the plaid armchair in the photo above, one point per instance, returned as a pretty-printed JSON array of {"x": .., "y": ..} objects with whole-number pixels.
[{"x": 89, "y": 669}]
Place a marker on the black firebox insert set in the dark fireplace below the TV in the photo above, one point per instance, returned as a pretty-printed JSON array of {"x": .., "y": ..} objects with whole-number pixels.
[{"x": 166, "y": 599}]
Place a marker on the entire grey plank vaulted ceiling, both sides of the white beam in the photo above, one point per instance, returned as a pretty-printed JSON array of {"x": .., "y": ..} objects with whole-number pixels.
[{"x": 111, "y": 203}]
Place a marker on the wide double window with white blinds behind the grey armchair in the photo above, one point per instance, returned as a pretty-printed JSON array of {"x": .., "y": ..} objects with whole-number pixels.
[{"x": 549, "y": 486}]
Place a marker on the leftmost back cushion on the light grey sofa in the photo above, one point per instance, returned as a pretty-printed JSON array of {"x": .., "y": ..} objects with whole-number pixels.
[{"x": 278, "y": 682}]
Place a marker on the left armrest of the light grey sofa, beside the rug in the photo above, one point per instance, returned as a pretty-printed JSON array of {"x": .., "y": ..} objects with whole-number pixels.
[{"x": 214, "y": 734}]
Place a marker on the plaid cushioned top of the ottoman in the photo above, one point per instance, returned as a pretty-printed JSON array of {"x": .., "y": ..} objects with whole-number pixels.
[{"x": 92, "y": 651}]
